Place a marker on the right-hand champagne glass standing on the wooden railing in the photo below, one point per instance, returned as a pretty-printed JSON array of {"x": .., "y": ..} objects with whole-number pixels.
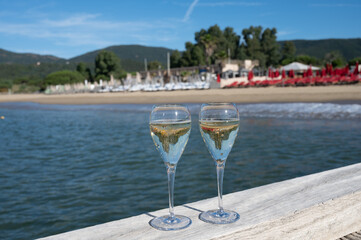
[{"x": 219, "y": 123}]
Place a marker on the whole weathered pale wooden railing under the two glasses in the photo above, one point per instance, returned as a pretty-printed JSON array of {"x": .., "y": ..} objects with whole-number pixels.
[{"x": 325, "y": 205}]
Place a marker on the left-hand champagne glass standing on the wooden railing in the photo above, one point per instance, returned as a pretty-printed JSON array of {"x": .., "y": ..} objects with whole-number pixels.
[{"x": 170, "y": 126}]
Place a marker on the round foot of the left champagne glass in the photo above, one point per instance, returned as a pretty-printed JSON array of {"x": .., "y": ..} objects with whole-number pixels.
[{"x": 166, "y": 223}]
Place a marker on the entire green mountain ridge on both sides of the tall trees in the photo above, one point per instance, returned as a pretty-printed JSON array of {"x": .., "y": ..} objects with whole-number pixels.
[{"x": 132, "y": 56}]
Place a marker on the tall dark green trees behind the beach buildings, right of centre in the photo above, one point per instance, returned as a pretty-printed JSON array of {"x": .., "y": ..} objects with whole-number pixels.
[{"x": 255, "y": 43}]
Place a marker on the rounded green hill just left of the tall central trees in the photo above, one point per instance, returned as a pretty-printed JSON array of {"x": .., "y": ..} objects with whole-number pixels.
[{"x": 131, "y": 53}]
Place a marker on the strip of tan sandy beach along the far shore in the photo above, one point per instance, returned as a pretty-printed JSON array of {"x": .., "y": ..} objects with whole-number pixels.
[{"x": 237, "y": 95}]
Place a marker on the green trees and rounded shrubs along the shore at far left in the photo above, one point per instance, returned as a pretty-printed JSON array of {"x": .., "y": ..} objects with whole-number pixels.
[{"x": 30, "y": 78}]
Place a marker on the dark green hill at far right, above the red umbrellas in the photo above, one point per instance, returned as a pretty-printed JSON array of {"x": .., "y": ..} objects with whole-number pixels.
[{"x": 349, "y": 48}]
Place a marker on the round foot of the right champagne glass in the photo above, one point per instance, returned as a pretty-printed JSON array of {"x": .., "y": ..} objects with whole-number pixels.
[{"x": 217, "y": 217}]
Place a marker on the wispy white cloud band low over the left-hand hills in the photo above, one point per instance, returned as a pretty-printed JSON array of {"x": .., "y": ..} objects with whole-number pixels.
[{"x": 90, "y": 29}]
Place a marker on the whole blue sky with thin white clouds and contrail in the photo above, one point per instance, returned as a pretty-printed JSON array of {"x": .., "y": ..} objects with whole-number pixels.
[{"x": 69, "y": 28}]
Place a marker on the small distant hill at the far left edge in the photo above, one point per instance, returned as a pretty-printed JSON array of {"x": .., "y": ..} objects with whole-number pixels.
[{"x": 27, "y": 58}]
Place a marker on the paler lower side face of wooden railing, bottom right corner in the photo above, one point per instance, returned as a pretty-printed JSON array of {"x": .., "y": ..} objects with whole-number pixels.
[{"x": 328, "y": 220}]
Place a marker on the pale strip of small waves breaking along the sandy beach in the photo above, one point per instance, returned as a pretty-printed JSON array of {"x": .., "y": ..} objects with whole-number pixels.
[{"x": 259, "y": 110}]
